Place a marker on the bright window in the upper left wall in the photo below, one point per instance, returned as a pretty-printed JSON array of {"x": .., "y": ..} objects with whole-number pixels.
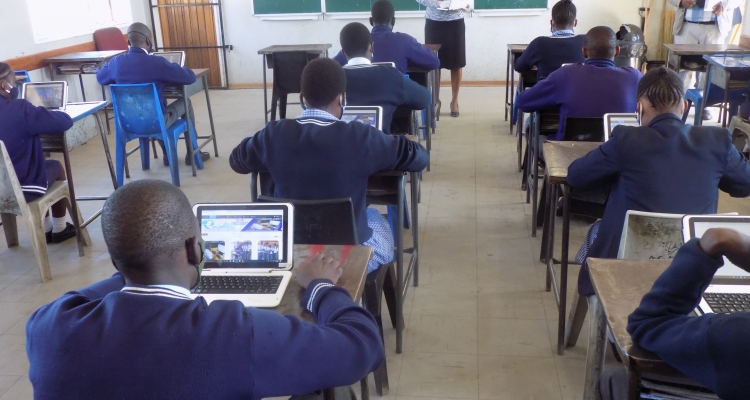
[{"x": 61, "y": 19}]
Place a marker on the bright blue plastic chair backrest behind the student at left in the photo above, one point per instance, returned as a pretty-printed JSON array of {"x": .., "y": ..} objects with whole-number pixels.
[{"x": 137, "y": 111}]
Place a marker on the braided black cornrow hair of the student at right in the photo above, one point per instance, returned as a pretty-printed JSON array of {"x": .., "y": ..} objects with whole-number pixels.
[{"x": 662, "y": 87}]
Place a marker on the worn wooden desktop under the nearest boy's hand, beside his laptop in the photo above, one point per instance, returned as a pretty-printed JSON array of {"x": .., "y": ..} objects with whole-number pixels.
[{"x": 354, "y": 261}]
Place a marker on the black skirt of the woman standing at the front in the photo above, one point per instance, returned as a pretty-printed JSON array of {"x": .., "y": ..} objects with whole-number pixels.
[{"x": 452, "y": 36}]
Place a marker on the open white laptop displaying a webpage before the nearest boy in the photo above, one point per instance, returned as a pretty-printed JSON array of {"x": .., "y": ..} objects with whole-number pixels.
[{"x": 248, "y": 250}]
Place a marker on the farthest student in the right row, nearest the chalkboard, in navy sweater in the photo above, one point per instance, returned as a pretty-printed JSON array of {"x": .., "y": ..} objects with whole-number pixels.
[{"x": 548, "y": 53}]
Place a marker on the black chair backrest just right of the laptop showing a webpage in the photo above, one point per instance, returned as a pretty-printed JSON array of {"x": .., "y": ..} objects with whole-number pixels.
[{"x": 321, "y": 221}]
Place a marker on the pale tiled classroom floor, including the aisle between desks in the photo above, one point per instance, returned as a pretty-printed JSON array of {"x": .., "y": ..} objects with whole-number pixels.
[{"x": 480, "y": 324}]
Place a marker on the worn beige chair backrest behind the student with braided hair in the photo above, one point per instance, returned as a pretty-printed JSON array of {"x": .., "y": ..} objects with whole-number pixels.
[{"x": 650, "y": 236}]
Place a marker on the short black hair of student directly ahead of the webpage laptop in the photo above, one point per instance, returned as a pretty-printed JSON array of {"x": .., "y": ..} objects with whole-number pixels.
[{"x": 323, "y": 79}]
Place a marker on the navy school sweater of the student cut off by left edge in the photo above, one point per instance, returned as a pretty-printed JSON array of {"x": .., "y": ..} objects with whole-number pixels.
[{"x": 21, "y": 123}]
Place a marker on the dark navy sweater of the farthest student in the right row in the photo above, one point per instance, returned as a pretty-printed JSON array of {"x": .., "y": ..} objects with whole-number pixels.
[{"x": 548, "y": 53}]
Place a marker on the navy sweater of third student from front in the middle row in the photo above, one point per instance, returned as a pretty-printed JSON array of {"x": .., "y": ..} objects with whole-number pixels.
[{"x": 385, "y": 86}]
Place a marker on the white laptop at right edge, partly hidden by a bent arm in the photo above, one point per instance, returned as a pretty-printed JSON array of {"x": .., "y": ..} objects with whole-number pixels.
[{"x": 729, "y": 291}]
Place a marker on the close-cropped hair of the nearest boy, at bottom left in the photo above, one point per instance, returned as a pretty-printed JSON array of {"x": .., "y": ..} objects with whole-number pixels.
[{"x": 146, "y": 221}]
